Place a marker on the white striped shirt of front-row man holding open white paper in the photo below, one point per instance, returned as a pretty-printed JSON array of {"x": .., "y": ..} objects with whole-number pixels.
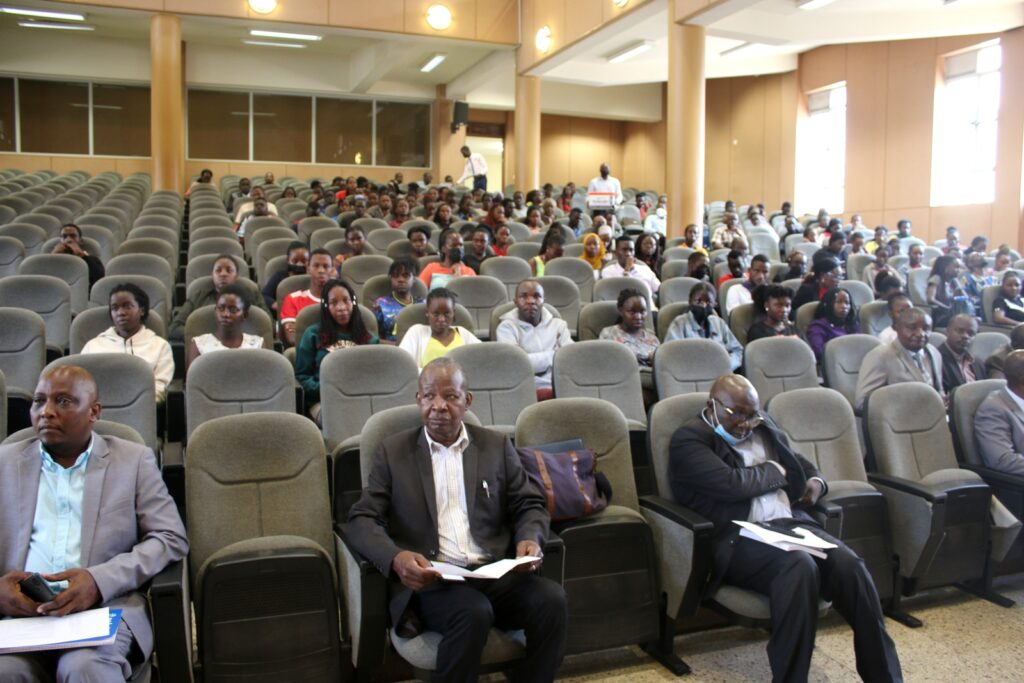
[{"x": 455, "y": 540}]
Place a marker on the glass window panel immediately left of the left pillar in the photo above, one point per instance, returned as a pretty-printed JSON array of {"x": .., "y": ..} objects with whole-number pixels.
[{"x": 121, "y": 120}]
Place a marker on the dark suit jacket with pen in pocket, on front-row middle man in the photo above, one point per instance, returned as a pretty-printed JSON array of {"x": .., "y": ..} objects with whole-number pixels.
[{"x": 399, "y": 507}]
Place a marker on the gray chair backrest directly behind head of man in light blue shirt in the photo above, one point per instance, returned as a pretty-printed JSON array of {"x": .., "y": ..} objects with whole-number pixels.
[{"x": 127, "y": 393}]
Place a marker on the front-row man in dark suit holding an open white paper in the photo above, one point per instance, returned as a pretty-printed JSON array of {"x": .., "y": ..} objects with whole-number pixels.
[{"x": 458, "y": 494}]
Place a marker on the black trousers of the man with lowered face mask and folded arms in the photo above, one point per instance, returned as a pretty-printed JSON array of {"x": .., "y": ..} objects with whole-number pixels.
[{"x": 794, "y": 582}]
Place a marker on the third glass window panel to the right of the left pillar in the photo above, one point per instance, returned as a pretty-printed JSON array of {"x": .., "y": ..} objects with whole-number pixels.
[{"x": 345, "y": 132}]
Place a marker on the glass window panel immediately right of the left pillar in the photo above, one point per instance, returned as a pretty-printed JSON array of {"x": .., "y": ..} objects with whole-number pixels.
[{"x": 219, "y": 125}]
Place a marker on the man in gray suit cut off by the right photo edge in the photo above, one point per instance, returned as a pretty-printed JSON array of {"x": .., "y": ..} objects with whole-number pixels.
[{"x": 999, "y": 424}]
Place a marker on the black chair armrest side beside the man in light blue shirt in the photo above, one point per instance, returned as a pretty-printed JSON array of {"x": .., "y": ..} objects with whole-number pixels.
[{"x": 172, "y": 610}]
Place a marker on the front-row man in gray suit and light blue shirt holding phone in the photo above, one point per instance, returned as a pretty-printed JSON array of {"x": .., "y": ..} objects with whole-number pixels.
[{"x": 92, "y": 515}]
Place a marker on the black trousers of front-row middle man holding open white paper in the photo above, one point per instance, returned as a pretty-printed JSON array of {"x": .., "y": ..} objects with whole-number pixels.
[{"x": 463, "y": 614}]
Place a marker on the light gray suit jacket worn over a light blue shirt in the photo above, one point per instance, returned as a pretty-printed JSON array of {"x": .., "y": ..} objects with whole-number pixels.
[{"x": 131, "y": 527}]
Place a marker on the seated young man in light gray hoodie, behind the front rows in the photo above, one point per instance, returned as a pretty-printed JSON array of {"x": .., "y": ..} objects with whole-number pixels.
[{"x": 532, "y": 327}]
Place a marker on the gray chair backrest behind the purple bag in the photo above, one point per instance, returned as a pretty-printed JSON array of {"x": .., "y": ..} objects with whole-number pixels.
[{"x": 602, "y": 426}]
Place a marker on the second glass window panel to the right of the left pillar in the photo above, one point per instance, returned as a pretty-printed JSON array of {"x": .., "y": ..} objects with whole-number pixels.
[{"x": 281, "y": 129}]
